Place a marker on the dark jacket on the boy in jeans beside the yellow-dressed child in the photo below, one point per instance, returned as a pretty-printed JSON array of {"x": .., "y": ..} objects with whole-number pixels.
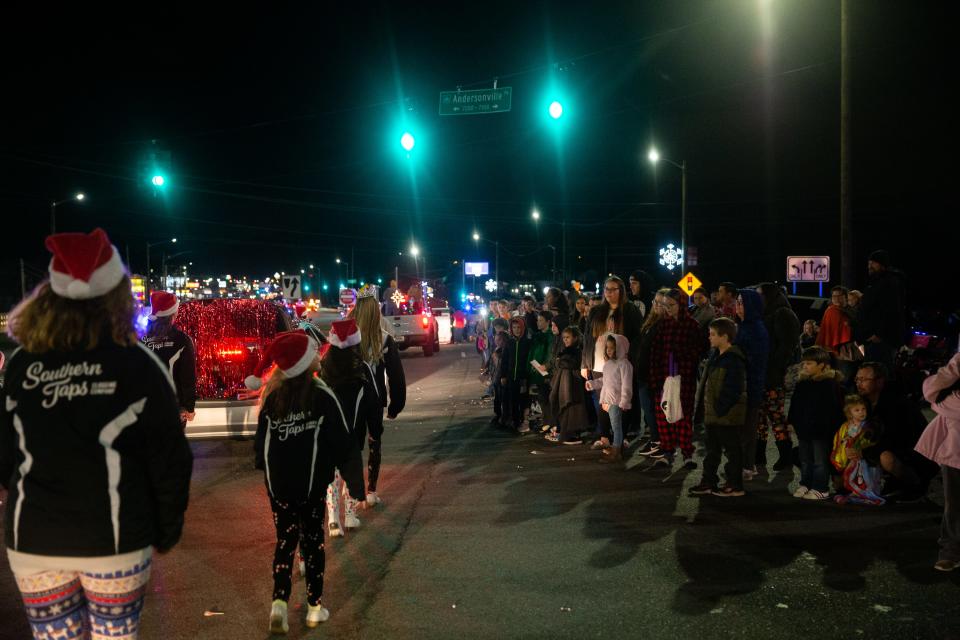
[{"x": 816, "y": 410}]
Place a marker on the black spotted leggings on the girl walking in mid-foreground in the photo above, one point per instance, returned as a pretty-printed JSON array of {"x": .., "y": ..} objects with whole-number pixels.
[{"x": 303, "y": 524}]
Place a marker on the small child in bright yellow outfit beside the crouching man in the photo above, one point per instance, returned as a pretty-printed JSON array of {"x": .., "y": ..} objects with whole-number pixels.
[{"x": 860, "y": 480}]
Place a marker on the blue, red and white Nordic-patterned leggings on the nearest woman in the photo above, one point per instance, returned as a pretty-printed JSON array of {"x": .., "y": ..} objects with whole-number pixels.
[{"x": 69, "y": 604}]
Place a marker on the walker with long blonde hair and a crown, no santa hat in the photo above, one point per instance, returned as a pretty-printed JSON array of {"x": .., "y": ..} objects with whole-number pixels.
[{"x": 381, "y": 355}]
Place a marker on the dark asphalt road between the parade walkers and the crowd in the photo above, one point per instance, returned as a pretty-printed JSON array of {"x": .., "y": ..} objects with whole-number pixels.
[{"x": 486, "y": 535}]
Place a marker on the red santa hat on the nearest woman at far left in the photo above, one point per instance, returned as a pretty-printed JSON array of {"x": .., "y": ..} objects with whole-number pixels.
[{"x": 84, "y": 265}]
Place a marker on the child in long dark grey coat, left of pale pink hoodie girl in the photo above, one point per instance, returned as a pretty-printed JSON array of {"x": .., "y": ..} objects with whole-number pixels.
[{"x": 567, "y": 398}]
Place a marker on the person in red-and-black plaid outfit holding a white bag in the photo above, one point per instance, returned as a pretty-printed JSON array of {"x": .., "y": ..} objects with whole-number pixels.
[{"x": 679, "y": 337}]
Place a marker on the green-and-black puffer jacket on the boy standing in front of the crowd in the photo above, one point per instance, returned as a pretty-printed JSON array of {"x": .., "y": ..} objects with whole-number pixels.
[{"x": 722, "y": 393}]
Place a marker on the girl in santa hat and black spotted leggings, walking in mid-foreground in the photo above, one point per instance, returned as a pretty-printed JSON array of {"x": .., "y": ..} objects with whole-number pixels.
[{"x": 302, "y": 440}]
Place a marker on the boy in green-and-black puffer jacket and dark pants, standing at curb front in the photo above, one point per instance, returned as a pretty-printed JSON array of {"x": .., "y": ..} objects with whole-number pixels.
[{"x": 722, "y": 397}]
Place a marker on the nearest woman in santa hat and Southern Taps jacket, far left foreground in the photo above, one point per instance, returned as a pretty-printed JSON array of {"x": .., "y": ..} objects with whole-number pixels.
[{"x": 91, "y": 449}]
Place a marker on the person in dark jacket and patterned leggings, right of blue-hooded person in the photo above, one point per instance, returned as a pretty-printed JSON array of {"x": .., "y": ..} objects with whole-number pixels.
[{"x": 784, "y": 330}]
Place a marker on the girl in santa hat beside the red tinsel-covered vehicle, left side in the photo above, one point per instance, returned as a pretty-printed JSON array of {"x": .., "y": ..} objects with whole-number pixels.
[{"x": 175, "y": 349}]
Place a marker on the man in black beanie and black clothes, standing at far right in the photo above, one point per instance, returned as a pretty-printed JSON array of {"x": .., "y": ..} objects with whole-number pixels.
[{"x": 880, "y": 321}]
